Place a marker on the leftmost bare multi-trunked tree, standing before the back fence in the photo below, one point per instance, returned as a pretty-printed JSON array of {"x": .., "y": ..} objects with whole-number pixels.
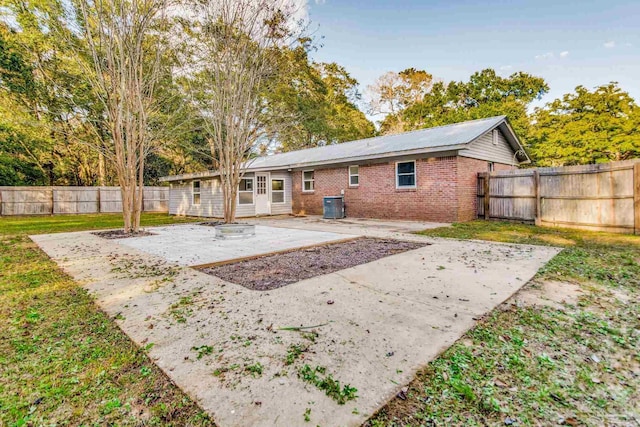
[{"x": 126, "y": 42}]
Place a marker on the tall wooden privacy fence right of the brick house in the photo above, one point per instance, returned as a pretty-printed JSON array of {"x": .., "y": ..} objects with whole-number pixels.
[{"x": 598, "y": 197}]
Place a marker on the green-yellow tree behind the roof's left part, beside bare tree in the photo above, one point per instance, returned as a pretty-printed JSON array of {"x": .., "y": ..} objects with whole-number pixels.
[{"x": 314, "y": 104}]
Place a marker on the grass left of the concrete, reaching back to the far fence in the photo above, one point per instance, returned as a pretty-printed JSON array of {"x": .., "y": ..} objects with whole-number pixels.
[{"x": 63, "y": 361}]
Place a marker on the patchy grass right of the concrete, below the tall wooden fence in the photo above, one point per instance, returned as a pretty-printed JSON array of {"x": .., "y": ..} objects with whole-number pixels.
[{"x": 523, "y": 365}]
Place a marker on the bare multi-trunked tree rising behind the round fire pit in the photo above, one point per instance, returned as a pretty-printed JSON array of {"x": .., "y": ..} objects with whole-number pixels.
[{"x": 237, "y": 51}]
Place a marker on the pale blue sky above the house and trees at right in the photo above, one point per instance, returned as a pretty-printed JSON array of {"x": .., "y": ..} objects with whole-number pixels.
[{"x": 569, "y": 43}]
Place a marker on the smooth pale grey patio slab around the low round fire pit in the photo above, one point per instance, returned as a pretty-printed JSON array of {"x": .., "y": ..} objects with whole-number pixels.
[{"x": 192, "y": 244}]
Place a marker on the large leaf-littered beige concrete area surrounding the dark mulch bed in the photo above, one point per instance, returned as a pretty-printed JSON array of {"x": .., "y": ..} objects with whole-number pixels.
[{"x": 388, "y": 318}]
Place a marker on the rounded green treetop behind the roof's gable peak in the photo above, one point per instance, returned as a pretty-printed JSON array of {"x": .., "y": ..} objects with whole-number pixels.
[{"x": 485, "y": 94}]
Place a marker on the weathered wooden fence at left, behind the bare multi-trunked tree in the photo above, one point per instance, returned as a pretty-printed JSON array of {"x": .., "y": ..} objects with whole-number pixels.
[{"x": 75, "y": 200}]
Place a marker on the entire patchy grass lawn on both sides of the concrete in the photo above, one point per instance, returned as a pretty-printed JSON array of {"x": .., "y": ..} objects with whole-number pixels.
[{"x": 64, "y": 362}]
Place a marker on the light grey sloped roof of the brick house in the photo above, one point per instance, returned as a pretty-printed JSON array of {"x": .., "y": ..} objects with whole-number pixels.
[{"x": 437, "y": 139}]
